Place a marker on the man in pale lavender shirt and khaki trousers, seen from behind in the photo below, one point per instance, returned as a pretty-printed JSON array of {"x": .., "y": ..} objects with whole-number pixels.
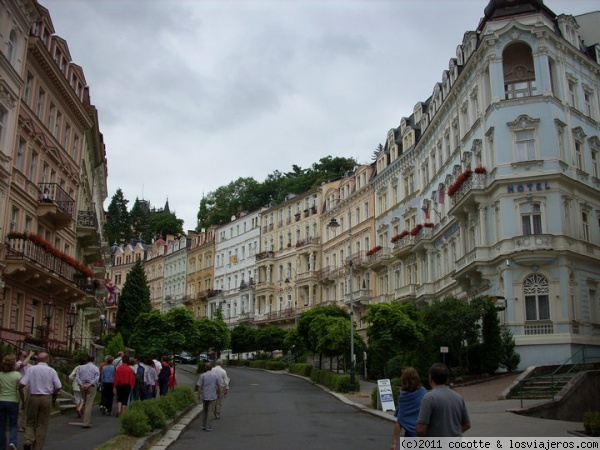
[{"x": 43, "y": 385}]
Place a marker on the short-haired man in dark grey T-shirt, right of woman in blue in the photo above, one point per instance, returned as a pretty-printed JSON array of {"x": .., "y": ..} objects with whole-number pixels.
[{"x": 443, "y": 412}]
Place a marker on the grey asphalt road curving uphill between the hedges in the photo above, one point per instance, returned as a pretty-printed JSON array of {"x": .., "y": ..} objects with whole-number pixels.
[{"x": 266, "y": 410}]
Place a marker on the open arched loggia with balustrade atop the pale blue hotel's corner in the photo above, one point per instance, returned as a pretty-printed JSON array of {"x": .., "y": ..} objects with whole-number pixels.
[{"x": 519, "y": 74}]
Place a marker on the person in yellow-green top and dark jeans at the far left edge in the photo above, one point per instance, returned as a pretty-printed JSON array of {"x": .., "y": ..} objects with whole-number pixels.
[{"x": 9, "y": 401}]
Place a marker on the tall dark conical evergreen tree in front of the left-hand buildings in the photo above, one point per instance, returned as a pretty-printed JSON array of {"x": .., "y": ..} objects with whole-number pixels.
[{"x": 133, "y": 301}]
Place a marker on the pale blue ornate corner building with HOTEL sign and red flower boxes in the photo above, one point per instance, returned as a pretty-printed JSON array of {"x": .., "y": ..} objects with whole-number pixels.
[{"x": 491, "y": 185}]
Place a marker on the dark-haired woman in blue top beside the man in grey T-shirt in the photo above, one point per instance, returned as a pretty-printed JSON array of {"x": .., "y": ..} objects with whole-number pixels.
[{"x": 409, "y": 402}]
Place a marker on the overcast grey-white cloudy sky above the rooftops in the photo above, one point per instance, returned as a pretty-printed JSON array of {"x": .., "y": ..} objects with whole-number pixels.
[{"x": 193, "y": 94}]
